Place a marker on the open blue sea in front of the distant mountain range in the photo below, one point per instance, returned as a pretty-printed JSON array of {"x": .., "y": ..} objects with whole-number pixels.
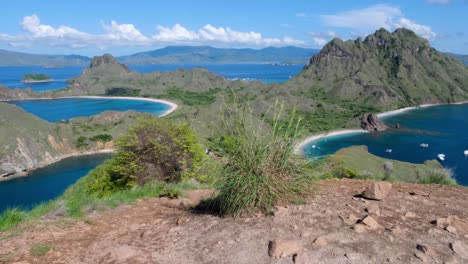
[{"x": 11, "y": 76}]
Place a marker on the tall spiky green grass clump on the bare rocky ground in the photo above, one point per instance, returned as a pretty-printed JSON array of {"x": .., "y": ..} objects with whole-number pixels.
[{"x": 260, "y": 168}]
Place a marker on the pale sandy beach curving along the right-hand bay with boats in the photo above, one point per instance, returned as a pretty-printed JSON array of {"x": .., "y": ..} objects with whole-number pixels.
[{"x": 300, "y": 146}]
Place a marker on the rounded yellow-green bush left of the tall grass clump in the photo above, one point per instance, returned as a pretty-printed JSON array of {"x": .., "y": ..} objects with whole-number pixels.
[{"x": 153, "y": 150}]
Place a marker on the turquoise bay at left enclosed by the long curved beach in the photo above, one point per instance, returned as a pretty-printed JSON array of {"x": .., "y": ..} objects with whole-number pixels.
[{"x": 55, "y": 110}]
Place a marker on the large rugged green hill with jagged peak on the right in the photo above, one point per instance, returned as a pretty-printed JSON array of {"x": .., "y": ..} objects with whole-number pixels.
[{"x": 386, "y": 70}]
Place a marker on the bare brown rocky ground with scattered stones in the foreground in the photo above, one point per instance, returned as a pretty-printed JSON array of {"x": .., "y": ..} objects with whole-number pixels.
[{"x": 411, "y": 224}]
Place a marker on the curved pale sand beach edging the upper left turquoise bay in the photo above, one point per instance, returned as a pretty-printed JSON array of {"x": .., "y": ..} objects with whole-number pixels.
[{"x": 172, "y": 106}]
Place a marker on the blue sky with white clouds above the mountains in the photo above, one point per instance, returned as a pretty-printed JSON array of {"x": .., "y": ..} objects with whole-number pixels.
[{"x": 124, "y": 27}]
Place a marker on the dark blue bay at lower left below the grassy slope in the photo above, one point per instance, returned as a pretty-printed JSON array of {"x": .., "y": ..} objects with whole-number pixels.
[{"x": 46, "y": 183}]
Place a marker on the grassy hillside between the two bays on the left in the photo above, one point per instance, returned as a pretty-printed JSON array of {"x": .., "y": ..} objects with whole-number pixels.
[{"x": 27, "y": 141}]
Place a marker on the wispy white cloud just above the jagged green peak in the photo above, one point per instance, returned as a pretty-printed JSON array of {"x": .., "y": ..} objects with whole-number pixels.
[{"x": 369, "y": 19}]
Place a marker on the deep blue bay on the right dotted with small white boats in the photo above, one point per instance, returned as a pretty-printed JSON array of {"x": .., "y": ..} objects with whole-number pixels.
[{"x": 444, "y": 128}]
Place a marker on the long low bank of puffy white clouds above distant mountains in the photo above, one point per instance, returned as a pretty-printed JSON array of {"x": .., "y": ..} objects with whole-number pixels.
[{"x": 127, "y": 35}]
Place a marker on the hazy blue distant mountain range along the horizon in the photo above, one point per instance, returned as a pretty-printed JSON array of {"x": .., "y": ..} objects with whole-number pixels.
[{"x": 179, "y": 55}]
